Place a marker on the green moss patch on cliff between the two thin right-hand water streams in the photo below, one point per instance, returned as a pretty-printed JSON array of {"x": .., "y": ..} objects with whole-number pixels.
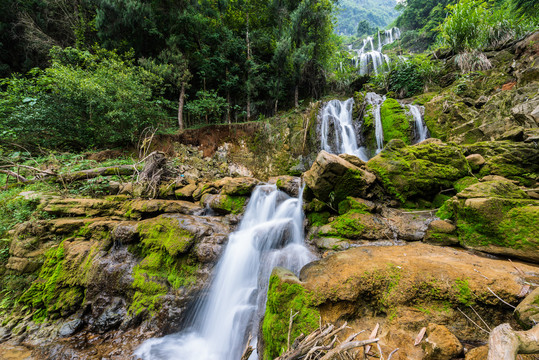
[{"x": 394, "y": 121}]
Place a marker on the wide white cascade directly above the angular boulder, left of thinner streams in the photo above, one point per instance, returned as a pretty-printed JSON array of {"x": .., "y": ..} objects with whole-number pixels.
[{"x": 337, "y": 125}]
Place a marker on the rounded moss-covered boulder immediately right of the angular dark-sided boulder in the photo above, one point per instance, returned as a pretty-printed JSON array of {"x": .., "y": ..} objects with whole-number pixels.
[{"x": 418, "y": 171}]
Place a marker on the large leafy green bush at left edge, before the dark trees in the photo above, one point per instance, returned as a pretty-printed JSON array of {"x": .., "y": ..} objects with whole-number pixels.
[{"x": 82, "y": 100}]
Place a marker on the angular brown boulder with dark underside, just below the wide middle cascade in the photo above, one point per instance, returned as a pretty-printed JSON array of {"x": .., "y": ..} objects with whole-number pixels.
[{"x": 332, "y": 177}]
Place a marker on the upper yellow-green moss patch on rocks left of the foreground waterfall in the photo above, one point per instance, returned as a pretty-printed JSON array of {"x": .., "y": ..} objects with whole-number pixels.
[{"x": 165, "y": 233}]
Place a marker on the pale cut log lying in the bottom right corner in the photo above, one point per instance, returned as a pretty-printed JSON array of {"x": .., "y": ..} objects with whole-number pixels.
[{"x": 504, "y": 343}]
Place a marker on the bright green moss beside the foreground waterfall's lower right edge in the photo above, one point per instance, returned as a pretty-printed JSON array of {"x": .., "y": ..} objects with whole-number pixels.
[{"x": 284, "y": 298}]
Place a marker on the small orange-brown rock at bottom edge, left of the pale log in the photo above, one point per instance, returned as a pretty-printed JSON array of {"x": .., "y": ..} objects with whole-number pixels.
[{"x": 441, "y": 344}]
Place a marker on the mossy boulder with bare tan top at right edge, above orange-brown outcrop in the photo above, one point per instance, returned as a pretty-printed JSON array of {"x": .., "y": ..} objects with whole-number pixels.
[{"x": 497, "y": 217}]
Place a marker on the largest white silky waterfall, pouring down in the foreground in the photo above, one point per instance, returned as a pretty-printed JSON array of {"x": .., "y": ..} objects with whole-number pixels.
[{"x": 270, "y": 234}]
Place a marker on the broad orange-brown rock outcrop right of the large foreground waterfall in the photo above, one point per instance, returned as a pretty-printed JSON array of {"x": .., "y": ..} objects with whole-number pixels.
[{"x": 405, "y": 288}]
